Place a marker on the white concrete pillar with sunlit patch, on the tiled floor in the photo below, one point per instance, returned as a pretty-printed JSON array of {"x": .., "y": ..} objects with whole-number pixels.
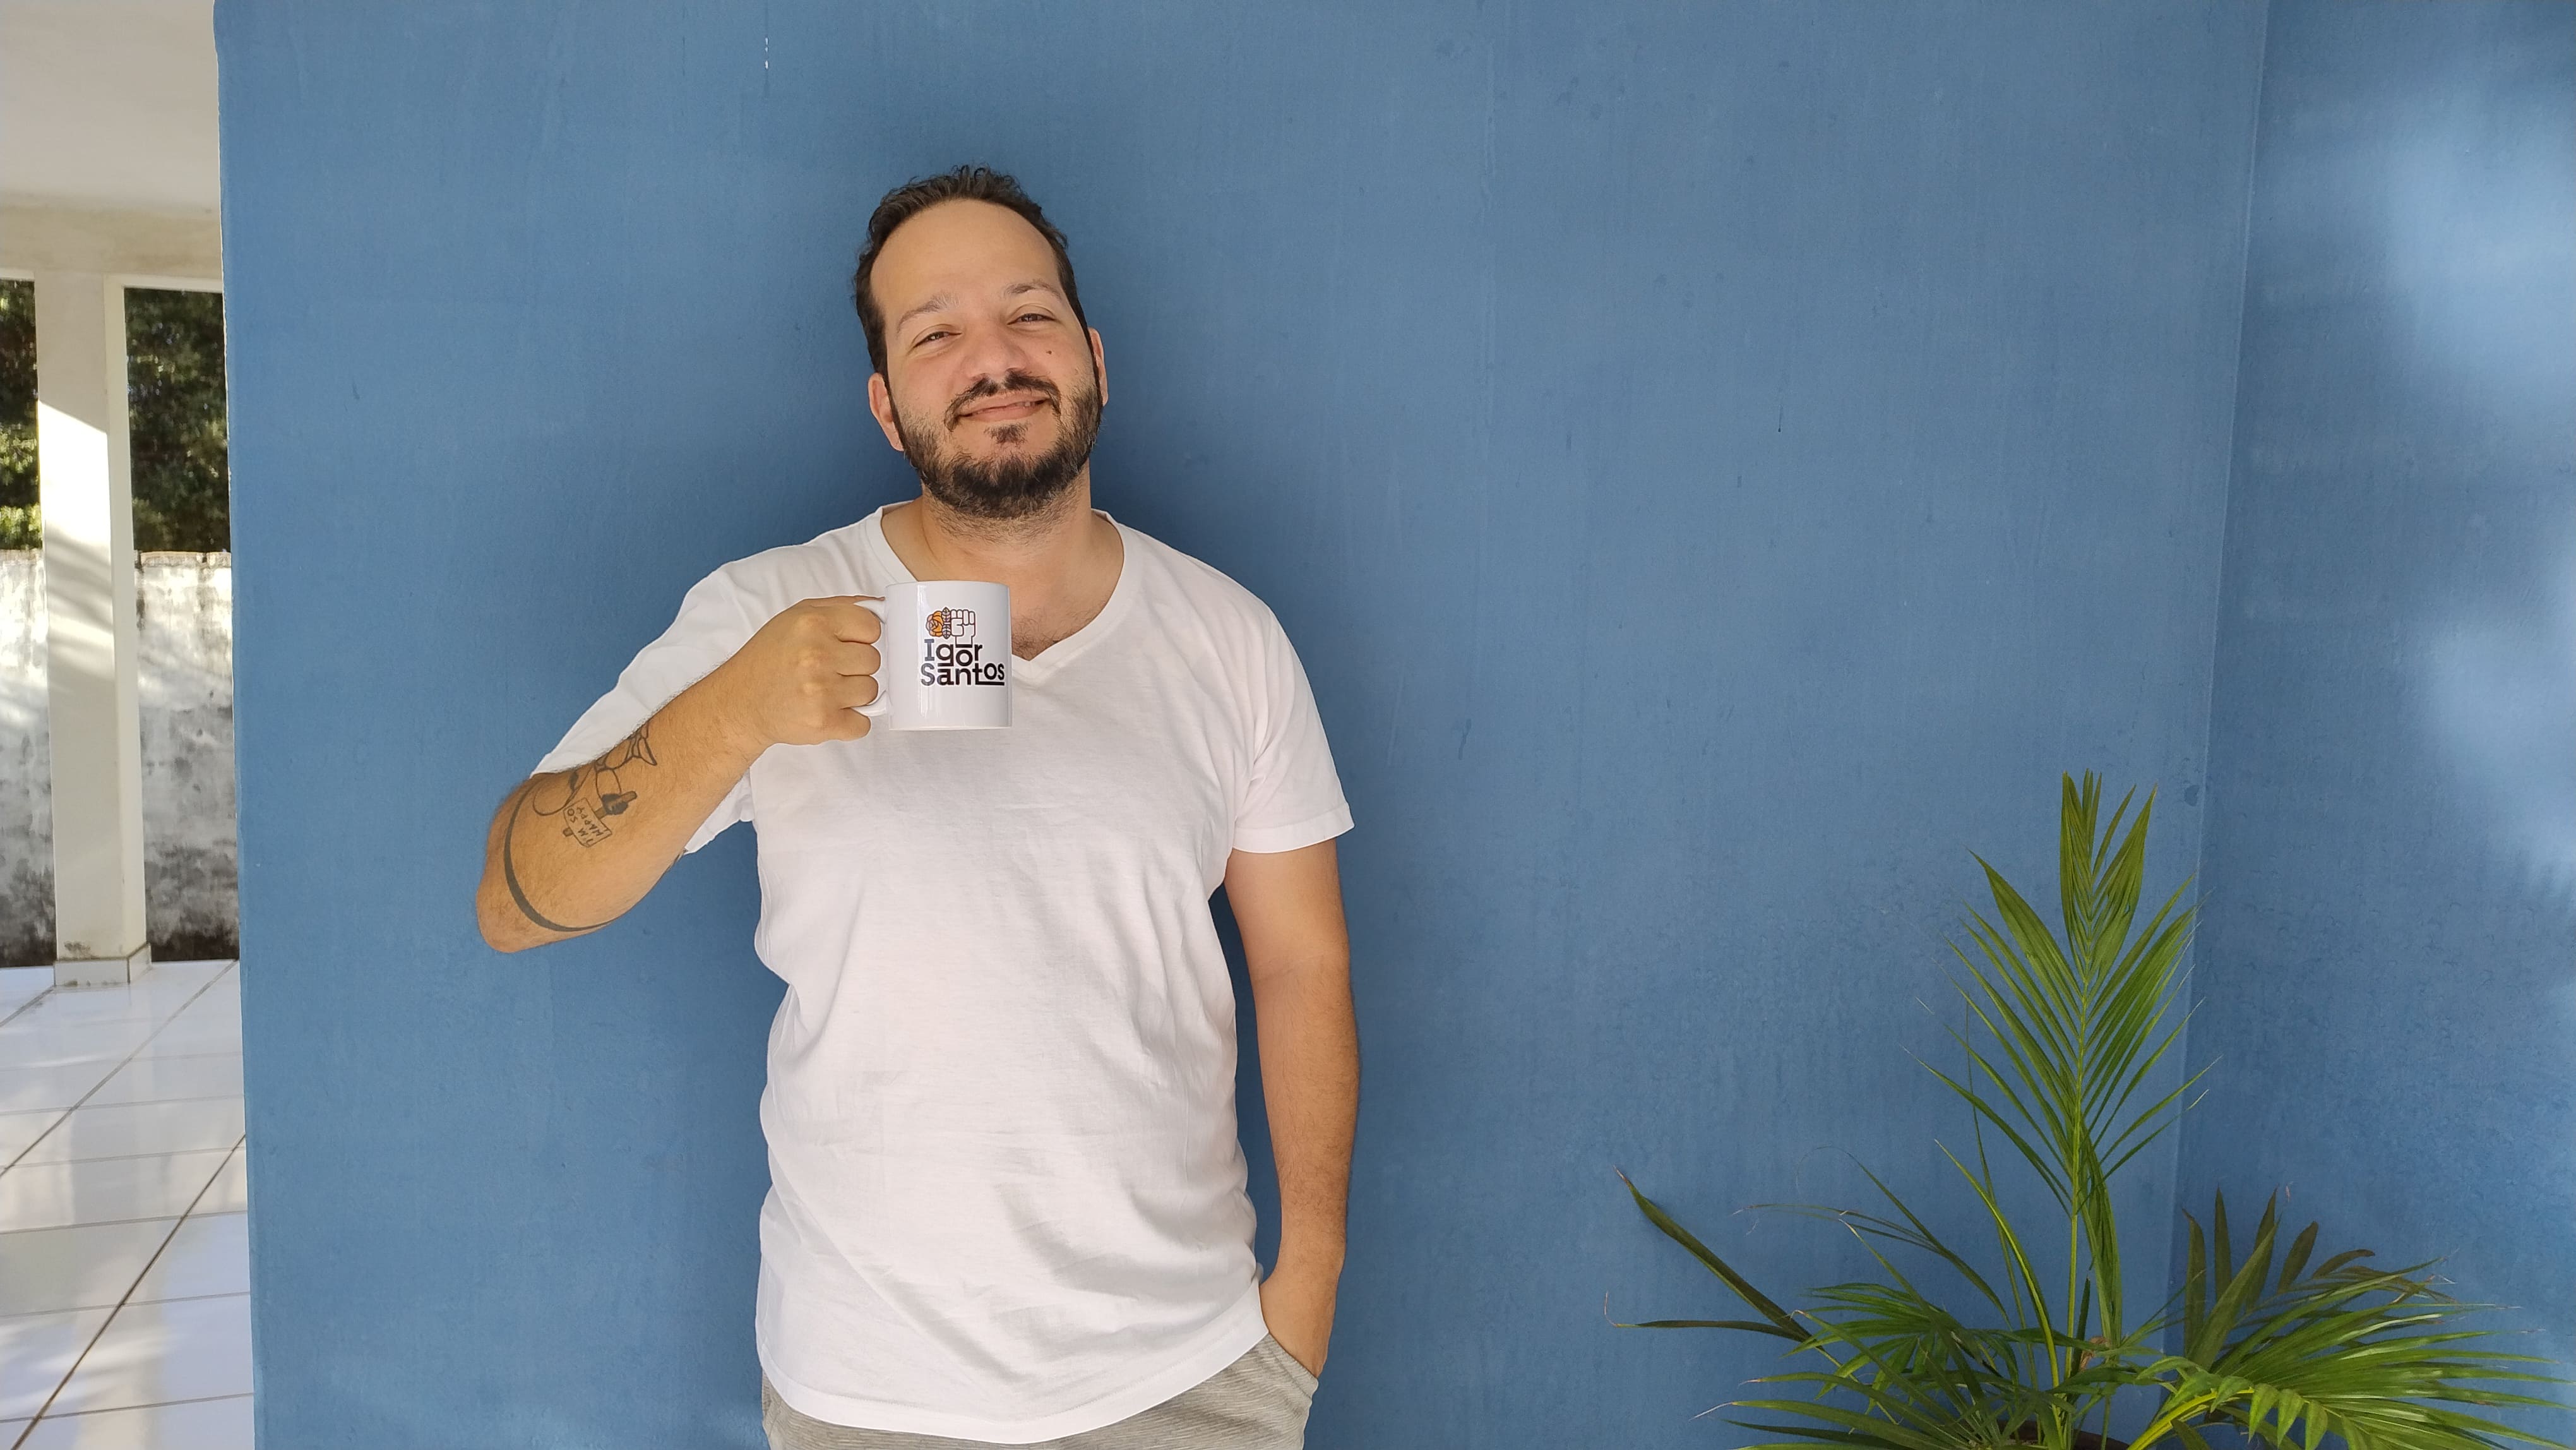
[{"x": 86, "y": 485}]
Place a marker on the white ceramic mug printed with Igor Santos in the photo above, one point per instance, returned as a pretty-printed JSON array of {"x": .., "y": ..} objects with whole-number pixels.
[{"x": 947, "y": 655}]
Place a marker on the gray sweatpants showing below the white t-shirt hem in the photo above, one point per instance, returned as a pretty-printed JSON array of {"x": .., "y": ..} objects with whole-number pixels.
[{"x": 1258, "y": 1402}]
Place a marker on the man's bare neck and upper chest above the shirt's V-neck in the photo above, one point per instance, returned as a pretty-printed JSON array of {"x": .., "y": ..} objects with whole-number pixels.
[{"x": 1057, "y": 563}]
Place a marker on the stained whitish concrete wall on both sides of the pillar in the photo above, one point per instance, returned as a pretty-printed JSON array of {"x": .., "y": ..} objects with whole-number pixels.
[{"x": 184, "y": 607}]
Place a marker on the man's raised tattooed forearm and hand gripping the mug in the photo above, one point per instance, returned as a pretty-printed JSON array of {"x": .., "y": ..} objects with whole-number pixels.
[{"x": 573, "y": 851}]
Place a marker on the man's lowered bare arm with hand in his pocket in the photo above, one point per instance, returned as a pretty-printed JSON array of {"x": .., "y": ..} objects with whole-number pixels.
[{"x": 1297, "y": 949}]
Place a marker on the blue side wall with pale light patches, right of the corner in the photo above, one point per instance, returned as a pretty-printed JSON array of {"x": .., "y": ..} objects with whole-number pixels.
[{"x": 2389, "y": 954}]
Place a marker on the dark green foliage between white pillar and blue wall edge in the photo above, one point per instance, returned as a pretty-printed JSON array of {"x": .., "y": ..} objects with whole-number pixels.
[{"x": 176, "y": 393}]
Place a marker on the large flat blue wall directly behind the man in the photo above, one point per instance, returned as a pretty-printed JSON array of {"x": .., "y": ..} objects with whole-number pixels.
[{"x": 1719, "y": 465}]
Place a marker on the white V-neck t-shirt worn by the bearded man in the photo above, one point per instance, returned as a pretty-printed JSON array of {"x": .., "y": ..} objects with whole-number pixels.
[{"x": 1006, "y": 1191}]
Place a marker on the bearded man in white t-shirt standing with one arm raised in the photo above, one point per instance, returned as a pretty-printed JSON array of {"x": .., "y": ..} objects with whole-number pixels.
[{"x": 1006, "y": 1194}]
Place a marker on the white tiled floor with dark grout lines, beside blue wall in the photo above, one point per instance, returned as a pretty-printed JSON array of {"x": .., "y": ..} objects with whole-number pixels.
[{"x": 125, "y": 1248}]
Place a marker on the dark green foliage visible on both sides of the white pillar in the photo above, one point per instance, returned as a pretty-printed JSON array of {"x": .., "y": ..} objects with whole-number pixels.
[{"x": 176, "y": 406}]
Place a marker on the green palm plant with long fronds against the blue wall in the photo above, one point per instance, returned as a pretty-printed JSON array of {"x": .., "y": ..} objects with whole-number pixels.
[{"x": 2065, "y": 1034}]
